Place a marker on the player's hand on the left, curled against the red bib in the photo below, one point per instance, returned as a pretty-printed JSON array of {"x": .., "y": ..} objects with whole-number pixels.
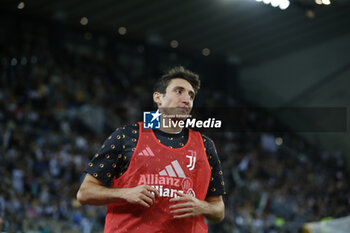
[{"x": 141, "y": 195}]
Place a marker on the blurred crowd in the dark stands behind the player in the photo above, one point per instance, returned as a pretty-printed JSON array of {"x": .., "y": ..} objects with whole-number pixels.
[{"x": 59, "y": 101}]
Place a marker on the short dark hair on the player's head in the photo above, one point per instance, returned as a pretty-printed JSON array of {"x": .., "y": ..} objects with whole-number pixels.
[{"x": 177, "y": 72}]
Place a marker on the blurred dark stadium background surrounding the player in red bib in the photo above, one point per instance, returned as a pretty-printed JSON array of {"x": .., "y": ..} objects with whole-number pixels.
[{"x": 73, "y": 71}]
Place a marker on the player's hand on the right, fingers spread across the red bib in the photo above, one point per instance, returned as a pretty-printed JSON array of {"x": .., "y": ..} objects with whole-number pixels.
[{"x": 190, "y": 206}]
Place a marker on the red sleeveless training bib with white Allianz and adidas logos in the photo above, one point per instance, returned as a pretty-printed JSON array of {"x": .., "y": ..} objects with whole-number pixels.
[{"x": 184, "y": 169}]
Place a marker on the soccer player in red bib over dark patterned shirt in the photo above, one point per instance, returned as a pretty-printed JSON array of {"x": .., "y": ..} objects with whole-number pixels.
[{"x": 158, "y": 180}]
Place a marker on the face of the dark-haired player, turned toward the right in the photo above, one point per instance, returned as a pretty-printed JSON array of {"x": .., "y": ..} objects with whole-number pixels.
[{"x": 178, "y": 97}]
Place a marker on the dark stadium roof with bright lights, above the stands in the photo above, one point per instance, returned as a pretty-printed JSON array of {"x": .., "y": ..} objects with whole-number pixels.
[{"x": 246, "y": 31}]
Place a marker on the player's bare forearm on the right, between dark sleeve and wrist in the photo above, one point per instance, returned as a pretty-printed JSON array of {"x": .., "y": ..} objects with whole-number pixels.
[{"x": 214, "y": 211}]
